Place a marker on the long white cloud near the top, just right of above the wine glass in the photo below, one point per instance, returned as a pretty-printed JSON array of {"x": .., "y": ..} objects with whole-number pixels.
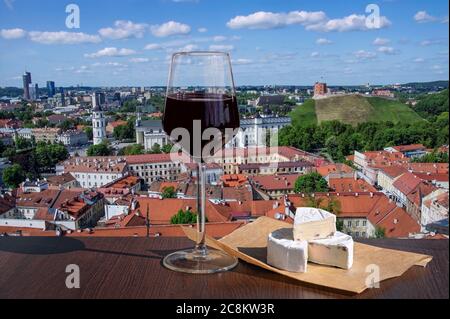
[{"x": 270, "y": 20}]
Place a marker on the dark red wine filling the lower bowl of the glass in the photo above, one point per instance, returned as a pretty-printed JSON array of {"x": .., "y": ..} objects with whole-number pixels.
[{"x": 217, "y": 111}]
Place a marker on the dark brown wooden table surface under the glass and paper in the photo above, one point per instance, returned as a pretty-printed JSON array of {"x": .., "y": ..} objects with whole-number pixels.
[{"x": 131, "y": 268}]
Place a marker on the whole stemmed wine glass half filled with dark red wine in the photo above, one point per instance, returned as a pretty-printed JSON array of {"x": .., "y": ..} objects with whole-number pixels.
[{"x": 201, "y": 116}]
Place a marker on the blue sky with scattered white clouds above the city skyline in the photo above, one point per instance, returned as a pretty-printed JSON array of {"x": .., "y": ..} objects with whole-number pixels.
[{"x": 128, "y": 42}]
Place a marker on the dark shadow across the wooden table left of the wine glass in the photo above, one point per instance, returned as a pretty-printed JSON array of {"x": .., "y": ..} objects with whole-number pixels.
[{"x": 54, "y": 246}]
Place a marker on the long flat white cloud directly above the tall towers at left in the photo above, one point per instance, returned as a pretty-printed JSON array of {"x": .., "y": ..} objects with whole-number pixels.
[{"x": 63, "y": 37}]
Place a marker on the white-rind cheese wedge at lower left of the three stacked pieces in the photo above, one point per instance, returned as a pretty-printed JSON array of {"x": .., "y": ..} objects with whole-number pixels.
[{"x": 284, "y": 253}]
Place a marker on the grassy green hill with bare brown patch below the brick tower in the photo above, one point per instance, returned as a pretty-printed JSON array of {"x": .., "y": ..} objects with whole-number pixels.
[{"x": 353, "y": 109}]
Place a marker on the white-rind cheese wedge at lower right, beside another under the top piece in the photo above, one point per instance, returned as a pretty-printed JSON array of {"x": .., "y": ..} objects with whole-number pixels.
[{"x": 336, "y": 251}]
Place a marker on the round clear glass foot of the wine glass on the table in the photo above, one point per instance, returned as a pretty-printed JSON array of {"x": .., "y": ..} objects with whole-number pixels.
[{"x": 189, "y": 261}]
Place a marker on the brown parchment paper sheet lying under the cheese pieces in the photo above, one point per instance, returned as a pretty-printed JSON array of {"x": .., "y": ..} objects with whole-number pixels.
[{"x": 249, "y": 243}]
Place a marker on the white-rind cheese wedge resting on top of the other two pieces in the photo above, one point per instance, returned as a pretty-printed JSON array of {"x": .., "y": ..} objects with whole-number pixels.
[{"x": 313, "y": 223}]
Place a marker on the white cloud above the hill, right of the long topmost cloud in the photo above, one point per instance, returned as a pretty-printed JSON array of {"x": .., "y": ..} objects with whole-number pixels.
[{"x": 352, "y": 22}]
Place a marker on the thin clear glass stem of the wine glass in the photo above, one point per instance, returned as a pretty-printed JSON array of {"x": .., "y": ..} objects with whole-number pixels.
[{"x": 200, "y": 248}]
